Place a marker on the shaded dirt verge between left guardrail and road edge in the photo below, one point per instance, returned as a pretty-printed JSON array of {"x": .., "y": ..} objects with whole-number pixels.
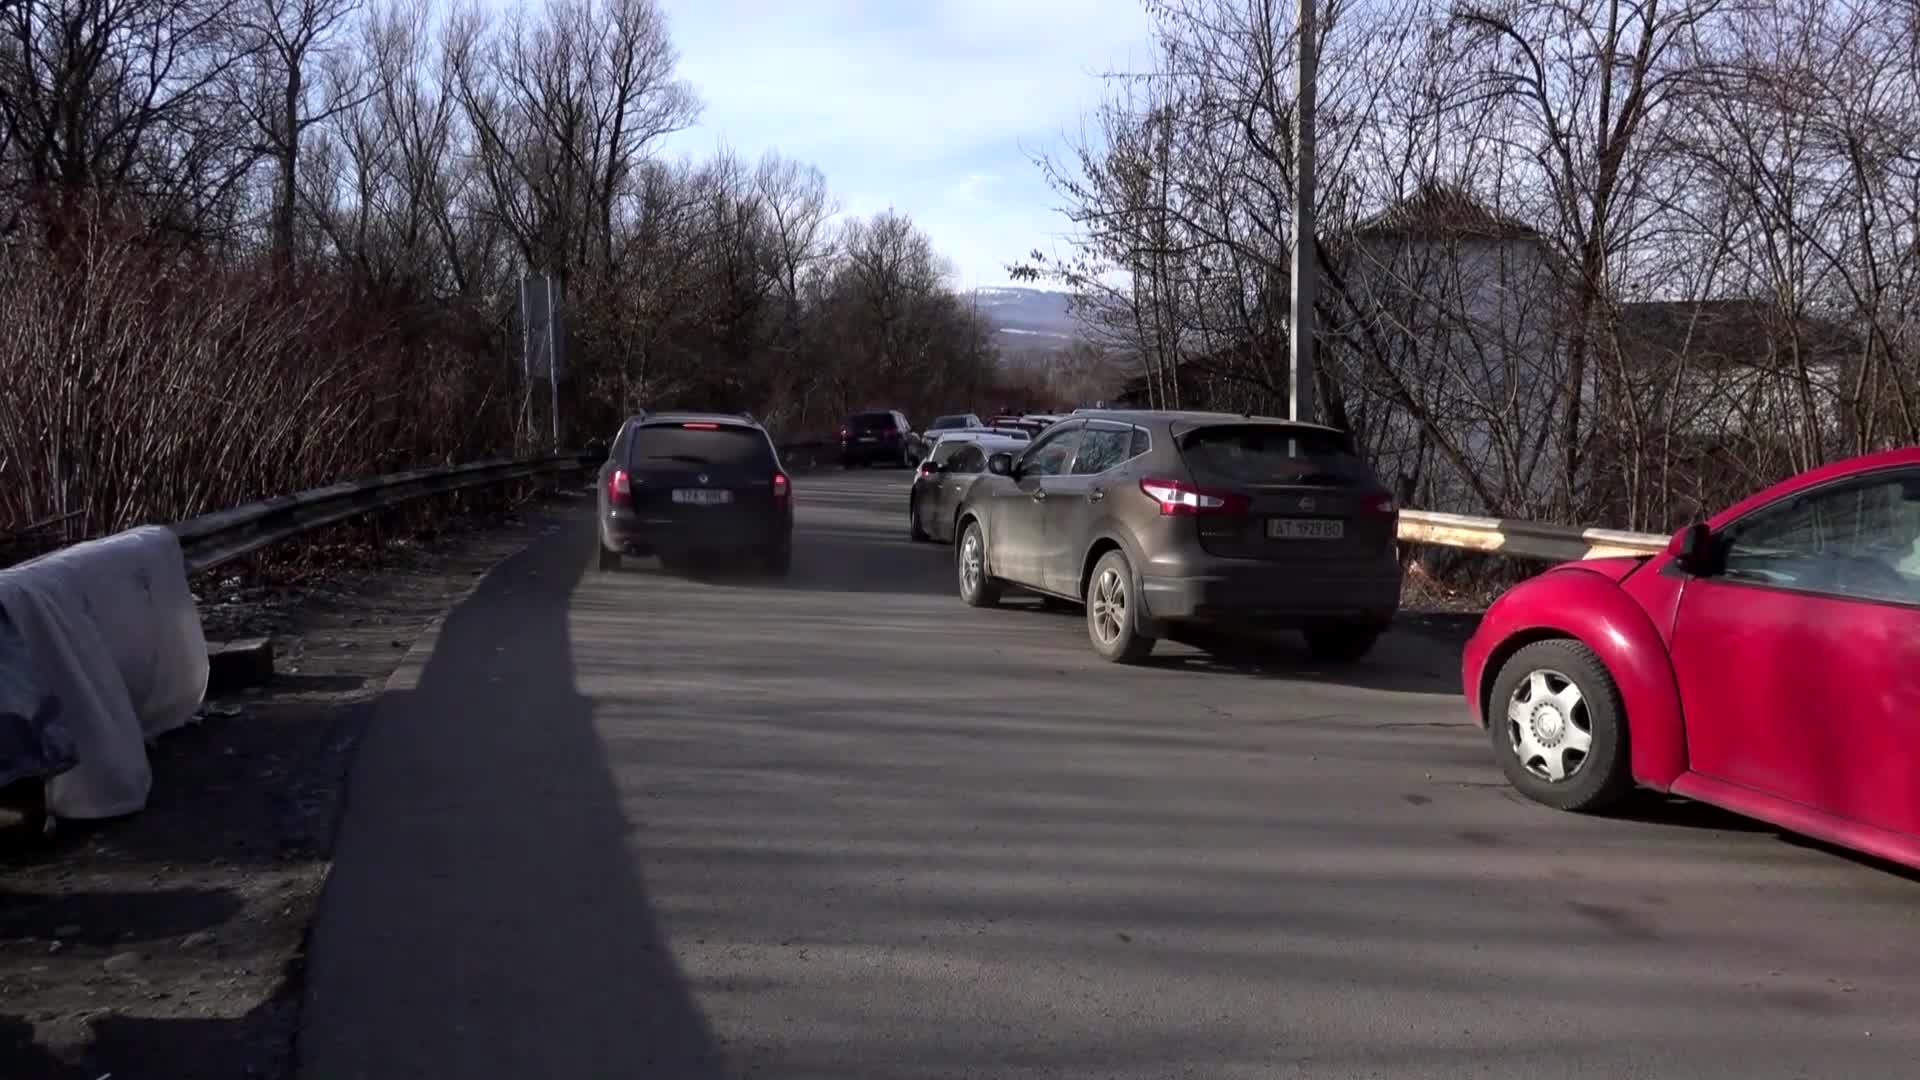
[{"x": 170, "y": 943}]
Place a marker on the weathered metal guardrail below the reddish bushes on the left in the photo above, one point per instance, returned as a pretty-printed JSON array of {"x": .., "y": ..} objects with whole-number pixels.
[{"x": 214, "y": 539}]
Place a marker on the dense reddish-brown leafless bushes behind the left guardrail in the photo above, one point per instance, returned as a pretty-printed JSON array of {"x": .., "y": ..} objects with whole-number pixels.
[{"x": 145, "y": 383}]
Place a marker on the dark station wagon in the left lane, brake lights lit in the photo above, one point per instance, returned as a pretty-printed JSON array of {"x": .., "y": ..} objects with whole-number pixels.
[{"x": 684, "y": 485}]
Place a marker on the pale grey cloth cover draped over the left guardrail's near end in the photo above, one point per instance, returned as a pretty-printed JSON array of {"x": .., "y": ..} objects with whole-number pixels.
[{"x": 112, "y": 631}]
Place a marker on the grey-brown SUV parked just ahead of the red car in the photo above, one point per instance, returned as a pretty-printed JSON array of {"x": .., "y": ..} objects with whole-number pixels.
[{"x": 1157, "y": 520}]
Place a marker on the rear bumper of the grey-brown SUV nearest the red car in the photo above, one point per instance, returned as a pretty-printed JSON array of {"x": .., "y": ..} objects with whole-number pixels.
[{"x": 1276, "y": 595}]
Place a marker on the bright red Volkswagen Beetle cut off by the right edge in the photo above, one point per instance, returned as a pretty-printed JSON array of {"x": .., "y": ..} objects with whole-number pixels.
[{"x": 1767, "y": 662}]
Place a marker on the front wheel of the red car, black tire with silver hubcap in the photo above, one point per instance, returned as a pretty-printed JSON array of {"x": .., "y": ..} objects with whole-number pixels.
[{"x": 1568, "y": 685}]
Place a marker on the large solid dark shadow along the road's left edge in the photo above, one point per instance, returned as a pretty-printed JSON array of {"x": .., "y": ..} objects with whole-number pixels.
[{"x": 485, "y": 916}]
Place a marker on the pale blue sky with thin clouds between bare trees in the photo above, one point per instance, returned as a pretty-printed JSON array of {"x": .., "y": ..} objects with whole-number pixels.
[{"x": 934, "y": 109}]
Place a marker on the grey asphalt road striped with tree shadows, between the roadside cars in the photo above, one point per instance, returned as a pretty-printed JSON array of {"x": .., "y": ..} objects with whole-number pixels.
[{"x": 640, "y": 825}]
